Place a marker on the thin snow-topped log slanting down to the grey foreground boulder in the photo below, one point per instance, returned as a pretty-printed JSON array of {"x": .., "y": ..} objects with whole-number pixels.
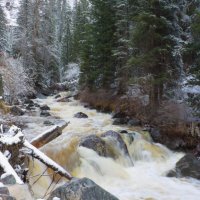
[{"x": 35, "y": 153}]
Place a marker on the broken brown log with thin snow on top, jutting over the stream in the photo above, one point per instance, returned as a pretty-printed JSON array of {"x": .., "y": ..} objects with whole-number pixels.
[{"x": 48, "y": 135}]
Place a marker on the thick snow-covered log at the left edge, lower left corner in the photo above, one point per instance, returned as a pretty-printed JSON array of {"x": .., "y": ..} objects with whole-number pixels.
[{"x": 8, "y": 168}]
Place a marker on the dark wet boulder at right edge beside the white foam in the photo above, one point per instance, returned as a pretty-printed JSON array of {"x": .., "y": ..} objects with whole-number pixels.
[{"x": 188, "y": 166}]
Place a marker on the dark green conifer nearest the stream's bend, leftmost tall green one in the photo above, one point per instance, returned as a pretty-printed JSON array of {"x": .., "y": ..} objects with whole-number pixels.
[{"x": 97, "y": 57}]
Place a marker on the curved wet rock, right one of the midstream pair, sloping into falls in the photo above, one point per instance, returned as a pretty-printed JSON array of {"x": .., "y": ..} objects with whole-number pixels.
[{"x": 118, "y": 139}]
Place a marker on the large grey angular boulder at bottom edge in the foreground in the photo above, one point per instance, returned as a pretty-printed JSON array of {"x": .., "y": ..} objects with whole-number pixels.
[{"x": 81, "y": 189}]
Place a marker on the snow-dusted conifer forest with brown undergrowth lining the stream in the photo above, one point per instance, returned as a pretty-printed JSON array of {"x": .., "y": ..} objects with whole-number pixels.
[{"x": 135, "y": 57}]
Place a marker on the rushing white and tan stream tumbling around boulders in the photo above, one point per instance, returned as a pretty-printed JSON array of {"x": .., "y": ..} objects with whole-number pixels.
[{"x": 145, "y": 180}]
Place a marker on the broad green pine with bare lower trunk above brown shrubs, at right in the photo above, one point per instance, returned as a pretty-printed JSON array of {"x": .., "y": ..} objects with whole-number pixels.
[{"x": 153, "y": 45}]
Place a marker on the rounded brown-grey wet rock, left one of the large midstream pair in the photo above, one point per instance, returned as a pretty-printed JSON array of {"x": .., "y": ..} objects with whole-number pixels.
[{"x": 95, "y": 143}]
